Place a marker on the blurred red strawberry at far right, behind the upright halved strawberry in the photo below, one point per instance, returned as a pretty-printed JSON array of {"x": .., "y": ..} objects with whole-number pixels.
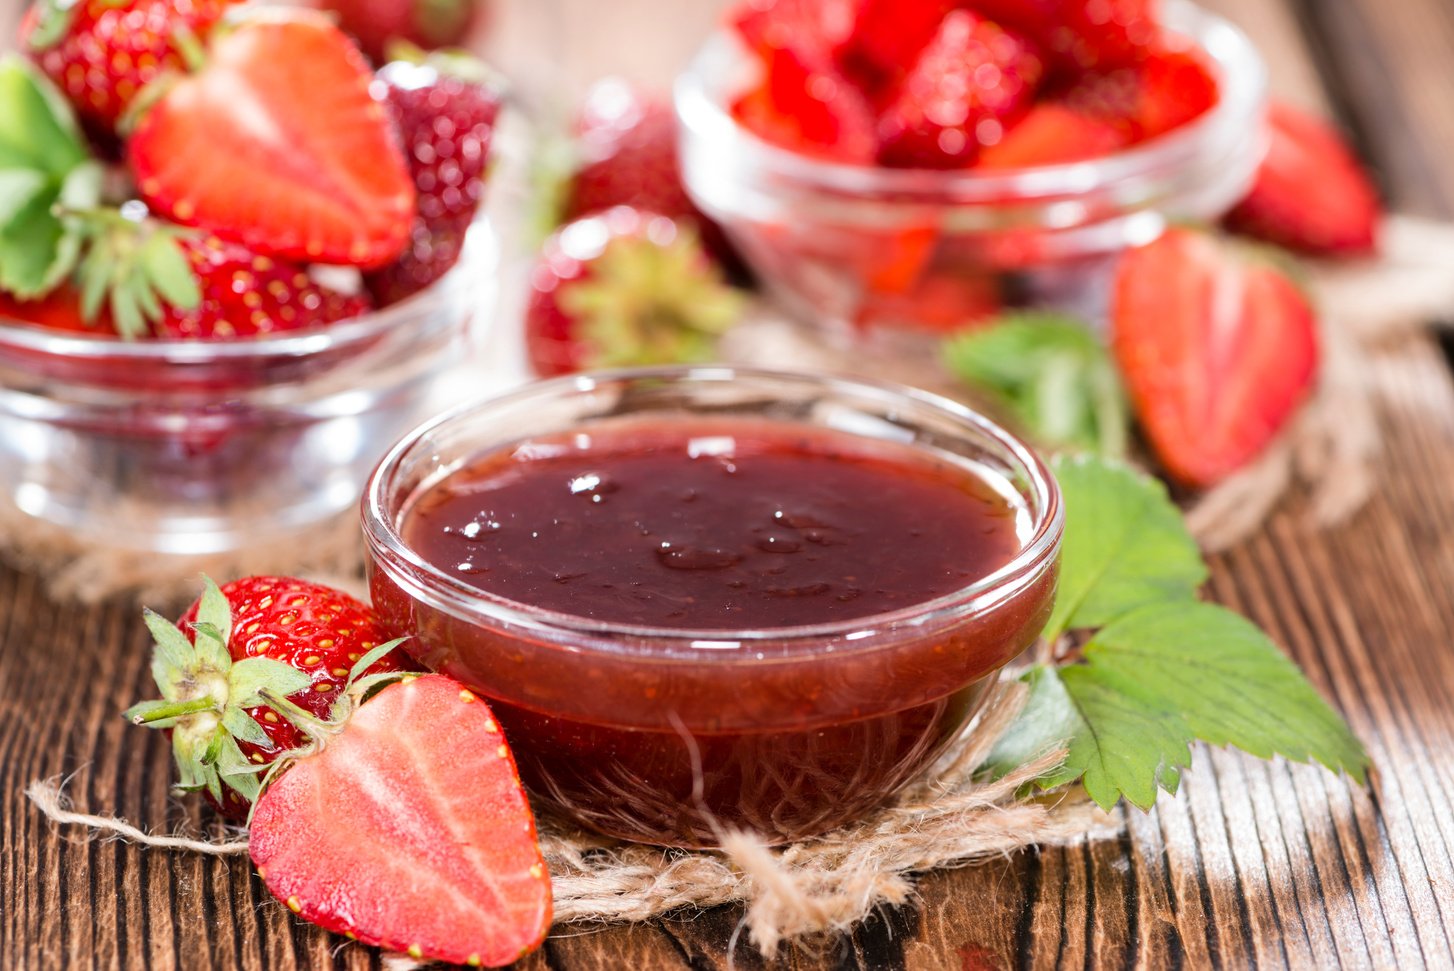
[{"x": 1311, "y": 193}]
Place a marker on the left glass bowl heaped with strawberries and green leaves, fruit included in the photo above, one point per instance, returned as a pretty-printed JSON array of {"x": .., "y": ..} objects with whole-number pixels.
[{"x": 236, "y": 265}]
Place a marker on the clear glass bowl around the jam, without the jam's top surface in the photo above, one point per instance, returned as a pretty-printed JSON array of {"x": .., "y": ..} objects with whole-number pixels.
[{"x": 667, "y": 735}]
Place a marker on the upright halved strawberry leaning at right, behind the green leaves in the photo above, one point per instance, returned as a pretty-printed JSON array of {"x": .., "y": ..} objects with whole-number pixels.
[{"x": 1218, "y": 352}]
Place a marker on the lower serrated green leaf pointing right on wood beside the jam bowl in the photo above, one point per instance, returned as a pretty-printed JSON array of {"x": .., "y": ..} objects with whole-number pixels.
[{"x": 1160, "y": 680}]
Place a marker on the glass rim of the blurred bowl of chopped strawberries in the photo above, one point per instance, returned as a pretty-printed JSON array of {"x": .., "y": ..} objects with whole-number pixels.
[{"x": 1242, "y": 88}]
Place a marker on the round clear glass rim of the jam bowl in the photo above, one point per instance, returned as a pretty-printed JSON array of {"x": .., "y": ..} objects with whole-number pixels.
[{"x": 387, "y": 547}]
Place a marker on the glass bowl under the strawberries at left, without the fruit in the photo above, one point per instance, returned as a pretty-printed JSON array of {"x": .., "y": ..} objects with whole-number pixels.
[{"x": 206, "y": 447}]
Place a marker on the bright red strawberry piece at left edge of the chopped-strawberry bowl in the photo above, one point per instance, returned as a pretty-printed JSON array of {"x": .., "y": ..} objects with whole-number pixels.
[{"x": 806, "y": 105}]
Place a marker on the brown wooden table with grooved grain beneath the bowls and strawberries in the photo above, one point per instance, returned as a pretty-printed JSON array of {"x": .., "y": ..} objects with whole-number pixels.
[{"x": 1254, "y": 864}]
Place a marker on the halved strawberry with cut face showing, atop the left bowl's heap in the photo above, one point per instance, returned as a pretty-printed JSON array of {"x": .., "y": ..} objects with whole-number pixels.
[{"x": 277, "y": 145}]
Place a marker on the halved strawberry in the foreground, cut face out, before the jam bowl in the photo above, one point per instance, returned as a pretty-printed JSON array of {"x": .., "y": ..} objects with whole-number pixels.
[{"x": 409, "y": 831}]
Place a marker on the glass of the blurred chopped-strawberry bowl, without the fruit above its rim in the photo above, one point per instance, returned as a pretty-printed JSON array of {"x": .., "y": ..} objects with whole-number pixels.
[{"x": 863, "y": 251}]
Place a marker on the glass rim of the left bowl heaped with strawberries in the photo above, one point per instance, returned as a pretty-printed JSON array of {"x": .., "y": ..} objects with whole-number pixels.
[{"x": 478, "y": 258}]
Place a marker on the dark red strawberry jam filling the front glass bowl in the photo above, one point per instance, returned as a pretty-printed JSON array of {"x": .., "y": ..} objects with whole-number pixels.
[{"x": 690, "y": 623}]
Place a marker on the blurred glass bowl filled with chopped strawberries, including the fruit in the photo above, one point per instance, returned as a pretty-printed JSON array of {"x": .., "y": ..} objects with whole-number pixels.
[{"x": 898, "y": 169}]
